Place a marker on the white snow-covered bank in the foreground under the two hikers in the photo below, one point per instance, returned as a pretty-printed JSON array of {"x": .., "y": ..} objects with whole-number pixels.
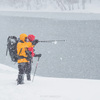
[{"x": 44, "y": 88}]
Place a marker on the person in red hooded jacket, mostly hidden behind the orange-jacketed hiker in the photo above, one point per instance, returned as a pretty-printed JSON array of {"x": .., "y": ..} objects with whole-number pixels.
[{"x": 31, "y": 49}]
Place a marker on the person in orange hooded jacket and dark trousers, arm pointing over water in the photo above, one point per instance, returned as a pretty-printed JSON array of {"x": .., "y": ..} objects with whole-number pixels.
[{"x": 23, "y": 56}]
